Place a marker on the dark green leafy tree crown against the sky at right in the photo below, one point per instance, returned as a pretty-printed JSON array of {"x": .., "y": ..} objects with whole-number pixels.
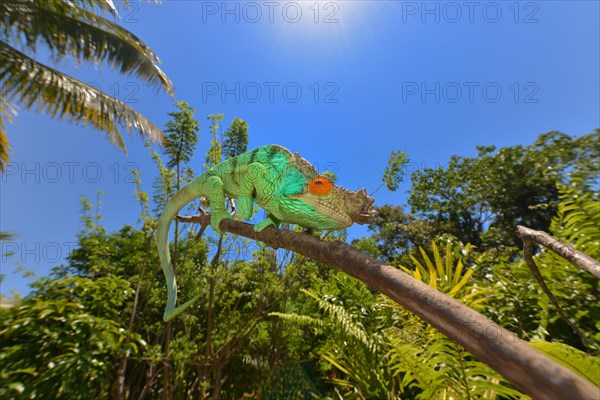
[{"x": 483, "y": 198}]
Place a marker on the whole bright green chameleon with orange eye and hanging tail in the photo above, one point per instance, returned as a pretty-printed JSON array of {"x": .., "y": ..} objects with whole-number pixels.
[{"x": 284, "y": 184}]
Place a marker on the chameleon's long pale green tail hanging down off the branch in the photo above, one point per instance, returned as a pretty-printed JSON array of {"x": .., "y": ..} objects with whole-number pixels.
[{"x": 180, "y": 199}]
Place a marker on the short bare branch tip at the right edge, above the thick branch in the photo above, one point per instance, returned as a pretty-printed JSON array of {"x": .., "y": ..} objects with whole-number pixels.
[{"x": 579, "y": 258}]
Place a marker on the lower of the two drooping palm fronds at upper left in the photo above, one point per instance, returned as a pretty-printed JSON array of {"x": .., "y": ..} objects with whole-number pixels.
[{"x": 62, "y": 96}]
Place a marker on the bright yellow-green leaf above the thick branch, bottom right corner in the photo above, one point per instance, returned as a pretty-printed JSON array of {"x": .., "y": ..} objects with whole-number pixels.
[{"x": 576, "y": 360}]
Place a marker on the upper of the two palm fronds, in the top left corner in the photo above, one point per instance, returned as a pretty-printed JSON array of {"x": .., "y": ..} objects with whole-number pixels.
[{"x": 71, "y": 31}]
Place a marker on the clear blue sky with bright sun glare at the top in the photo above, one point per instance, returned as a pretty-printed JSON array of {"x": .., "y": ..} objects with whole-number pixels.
[{"x": 343, "y": 83}]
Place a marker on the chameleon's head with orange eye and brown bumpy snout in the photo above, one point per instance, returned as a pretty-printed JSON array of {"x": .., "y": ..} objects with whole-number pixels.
[{"x": 333, "y": 207}]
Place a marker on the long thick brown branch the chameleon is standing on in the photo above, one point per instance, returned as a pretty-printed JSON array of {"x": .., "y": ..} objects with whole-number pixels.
[{"x": 529, "y": 370}]
